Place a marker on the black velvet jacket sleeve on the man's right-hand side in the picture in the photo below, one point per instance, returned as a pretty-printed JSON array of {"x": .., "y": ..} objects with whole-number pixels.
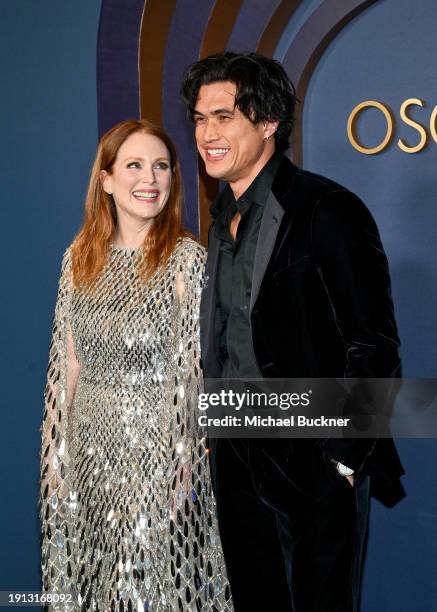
[{"x": 354, "y": 271}]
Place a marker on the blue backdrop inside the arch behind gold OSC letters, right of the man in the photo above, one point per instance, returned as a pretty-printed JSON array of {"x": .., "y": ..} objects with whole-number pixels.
[{"x": 389, "y": 54}]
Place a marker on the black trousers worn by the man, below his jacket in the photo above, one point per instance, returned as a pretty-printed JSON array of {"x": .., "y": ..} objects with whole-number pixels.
[{"x": 292, "y": 528}]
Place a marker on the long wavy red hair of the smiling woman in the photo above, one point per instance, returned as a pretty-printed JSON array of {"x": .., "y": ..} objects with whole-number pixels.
[{"x": 90, "y": 247}]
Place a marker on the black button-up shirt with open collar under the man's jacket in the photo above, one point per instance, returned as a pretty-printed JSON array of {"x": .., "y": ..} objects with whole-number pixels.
[{"x": 235, "y": 271}]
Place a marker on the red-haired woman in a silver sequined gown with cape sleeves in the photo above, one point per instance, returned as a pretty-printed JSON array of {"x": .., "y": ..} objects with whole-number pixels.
[{"x": 126, "y": 502}]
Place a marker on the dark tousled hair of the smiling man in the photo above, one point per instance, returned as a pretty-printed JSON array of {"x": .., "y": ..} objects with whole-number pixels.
[{"x": 264, "y": 90}]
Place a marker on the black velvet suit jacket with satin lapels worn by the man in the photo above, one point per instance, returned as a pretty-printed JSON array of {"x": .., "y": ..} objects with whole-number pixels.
[{"x": 320, "y": 303}]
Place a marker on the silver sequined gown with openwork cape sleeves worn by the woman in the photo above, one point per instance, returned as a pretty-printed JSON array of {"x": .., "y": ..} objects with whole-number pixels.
[{"x": 127, "y": 510}]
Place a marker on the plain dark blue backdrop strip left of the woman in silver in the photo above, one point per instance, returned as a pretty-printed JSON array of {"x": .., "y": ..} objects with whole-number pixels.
[{"x": 49, "y": 135}]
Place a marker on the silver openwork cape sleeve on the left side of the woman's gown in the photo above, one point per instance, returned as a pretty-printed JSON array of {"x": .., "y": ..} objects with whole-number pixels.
[{"x": 57, "y": 497}]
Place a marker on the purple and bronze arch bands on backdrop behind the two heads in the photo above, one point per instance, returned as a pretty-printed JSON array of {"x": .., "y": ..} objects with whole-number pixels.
[{"x": 137, "y": 49}]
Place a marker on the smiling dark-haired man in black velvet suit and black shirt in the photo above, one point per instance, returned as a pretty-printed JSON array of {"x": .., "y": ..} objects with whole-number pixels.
[{"x": 298, "y": 286}]
